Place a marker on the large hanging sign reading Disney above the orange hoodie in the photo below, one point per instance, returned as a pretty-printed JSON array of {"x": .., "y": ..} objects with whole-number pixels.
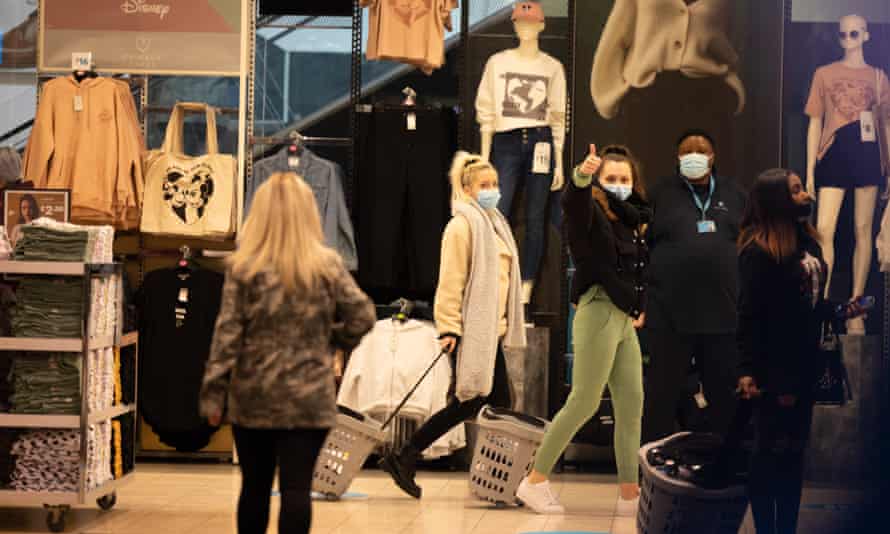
[{"x": 201, "y": 37}]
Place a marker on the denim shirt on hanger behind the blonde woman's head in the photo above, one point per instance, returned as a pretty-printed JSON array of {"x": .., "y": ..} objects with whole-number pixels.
[{"x": 325, "y": 178}]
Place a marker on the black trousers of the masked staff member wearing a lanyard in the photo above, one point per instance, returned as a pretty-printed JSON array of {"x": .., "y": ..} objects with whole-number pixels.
[{"x": 670, "y": 355}]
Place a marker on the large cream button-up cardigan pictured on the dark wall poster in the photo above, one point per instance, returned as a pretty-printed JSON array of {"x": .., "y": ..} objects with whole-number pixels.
[{"x": 645, "y": 37}]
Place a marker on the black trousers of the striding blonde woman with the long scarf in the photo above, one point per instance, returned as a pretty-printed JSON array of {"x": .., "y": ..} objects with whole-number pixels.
[{"x": 457, "y": 412}]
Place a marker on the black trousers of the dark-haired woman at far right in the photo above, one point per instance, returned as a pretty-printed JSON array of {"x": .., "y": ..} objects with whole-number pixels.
[{"x": 775, "y": 480}]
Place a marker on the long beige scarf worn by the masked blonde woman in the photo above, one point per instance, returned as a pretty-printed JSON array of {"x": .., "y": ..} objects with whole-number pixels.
[{"x": 480, "y": 310}]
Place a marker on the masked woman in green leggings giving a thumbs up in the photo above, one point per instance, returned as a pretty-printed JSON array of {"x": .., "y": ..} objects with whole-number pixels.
[{"x": 606, "y": 216}]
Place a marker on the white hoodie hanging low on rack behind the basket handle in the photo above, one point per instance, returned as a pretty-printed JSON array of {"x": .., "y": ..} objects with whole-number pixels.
[{"x": 387, "y": 364}]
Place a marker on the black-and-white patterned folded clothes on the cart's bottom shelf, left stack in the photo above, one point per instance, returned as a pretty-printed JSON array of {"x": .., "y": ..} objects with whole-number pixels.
[{"x": 46, "y": 460}]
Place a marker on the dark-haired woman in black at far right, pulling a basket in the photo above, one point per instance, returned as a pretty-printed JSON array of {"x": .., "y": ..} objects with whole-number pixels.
[{"x": 781, "y": 313}]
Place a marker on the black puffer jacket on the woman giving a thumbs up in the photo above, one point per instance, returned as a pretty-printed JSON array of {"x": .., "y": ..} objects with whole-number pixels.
[{"x": 605, "y": 237}]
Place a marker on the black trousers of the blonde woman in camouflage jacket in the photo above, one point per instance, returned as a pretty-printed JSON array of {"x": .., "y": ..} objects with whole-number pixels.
[{"x": 294, "y": 453}]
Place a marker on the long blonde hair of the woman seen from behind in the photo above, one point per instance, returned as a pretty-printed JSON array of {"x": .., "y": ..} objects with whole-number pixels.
[{"x": 283, "y": 235}]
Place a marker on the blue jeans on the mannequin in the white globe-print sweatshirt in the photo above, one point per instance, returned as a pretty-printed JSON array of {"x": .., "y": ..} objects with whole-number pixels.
[{"x": 512, "y": 154}]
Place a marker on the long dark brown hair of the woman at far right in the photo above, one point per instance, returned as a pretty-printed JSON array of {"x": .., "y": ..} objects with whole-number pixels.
[{"x": 770, "y": 220}]
